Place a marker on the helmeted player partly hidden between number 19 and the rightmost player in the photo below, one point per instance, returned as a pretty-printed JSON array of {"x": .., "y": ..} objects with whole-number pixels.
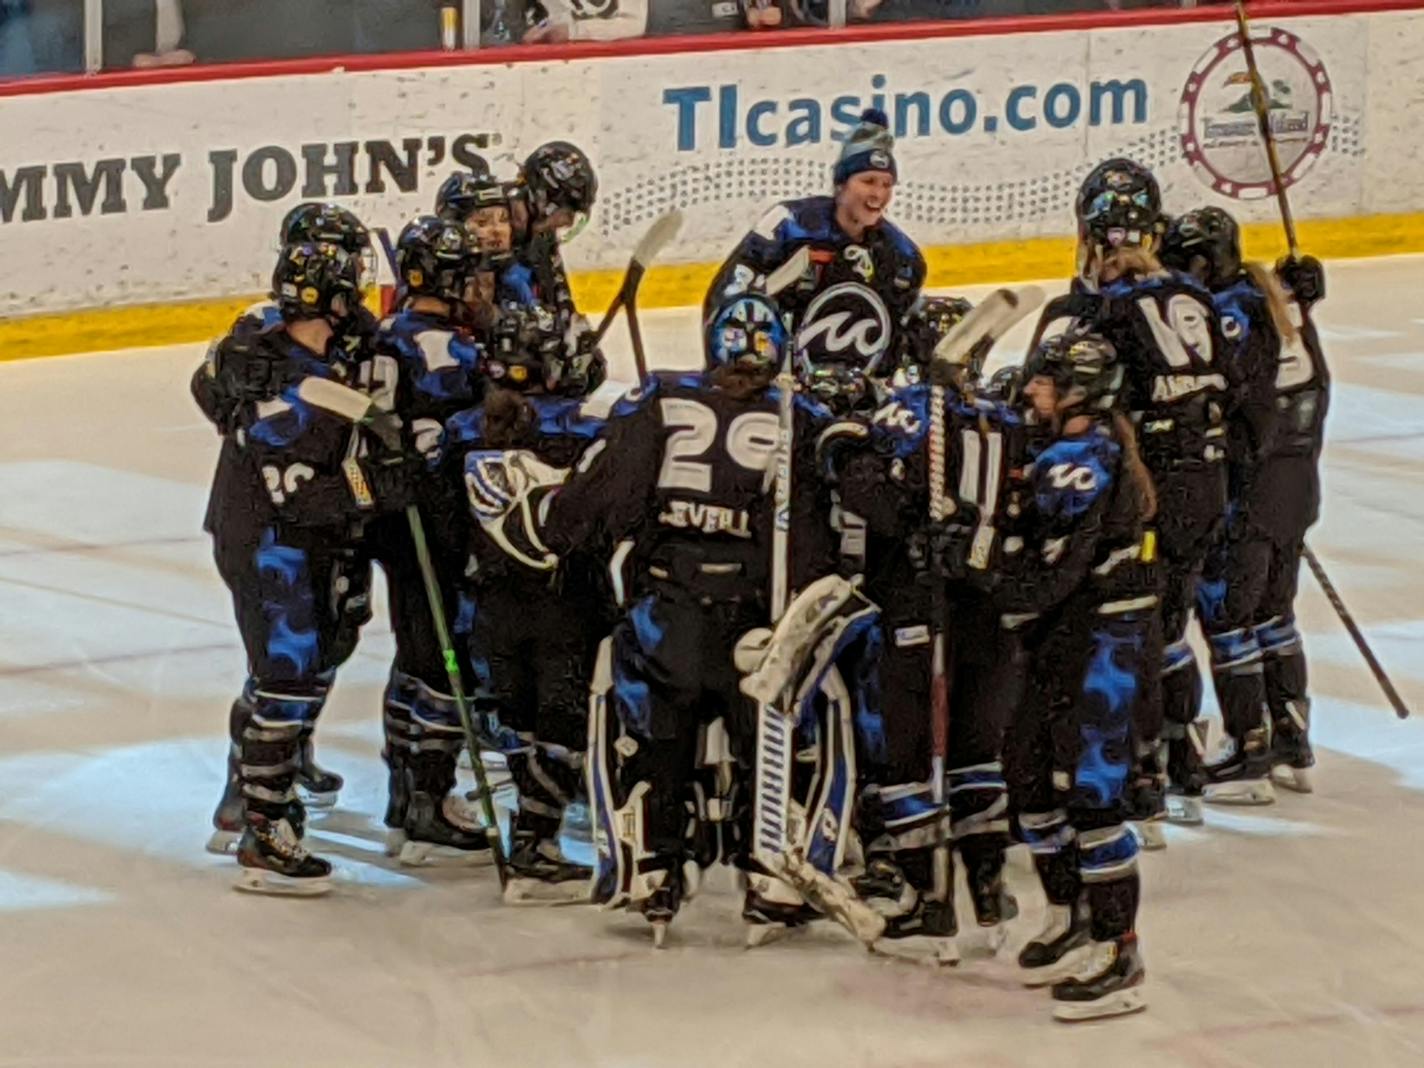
[{"x": 1207, "y": 244}]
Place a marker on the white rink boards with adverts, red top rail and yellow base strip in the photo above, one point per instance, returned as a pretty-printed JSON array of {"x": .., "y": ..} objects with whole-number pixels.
[{"x": 143, "y": 213}]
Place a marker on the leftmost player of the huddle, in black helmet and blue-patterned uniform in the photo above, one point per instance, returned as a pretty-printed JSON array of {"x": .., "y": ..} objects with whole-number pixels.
[{"x": 290, "y": 501}]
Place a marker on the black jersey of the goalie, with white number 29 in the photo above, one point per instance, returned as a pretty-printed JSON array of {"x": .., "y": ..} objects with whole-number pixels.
[{"x": 686, "y": 471}]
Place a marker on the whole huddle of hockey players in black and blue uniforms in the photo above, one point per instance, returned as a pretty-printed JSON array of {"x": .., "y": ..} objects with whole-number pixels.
[{"x": 835, "y": 609}]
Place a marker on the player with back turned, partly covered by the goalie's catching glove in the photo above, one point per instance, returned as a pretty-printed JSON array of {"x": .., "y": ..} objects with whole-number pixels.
[{"x": 538, "y": 620}]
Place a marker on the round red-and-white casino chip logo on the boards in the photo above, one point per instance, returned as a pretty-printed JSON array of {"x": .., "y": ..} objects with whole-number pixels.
[{"x": 1220, "y": 133}]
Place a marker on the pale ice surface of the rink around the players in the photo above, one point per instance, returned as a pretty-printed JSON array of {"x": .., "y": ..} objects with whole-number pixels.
[{"x": 1279, "y": 936}]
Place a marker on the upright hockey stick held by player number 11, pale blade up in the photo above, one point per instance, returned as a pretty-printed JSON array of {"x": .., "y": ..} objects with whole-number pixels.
[{"x": 985, "y": 325}]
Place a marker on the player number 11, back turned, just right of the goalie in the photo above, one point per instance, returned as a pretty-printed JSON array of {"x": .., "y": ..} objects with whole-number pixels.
[{"x": 885, "y": 489}]
